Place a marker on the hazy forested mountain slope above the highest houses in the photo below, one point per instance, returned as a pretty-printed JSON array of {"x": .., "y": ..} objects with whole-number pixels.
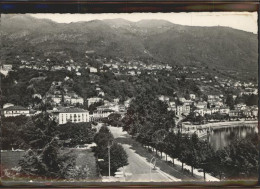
[{"x": 217, "y": 47}]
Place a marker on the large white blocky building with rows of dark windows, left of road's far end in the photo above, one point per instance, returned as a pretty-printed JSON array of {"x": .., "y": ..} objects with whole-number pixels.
[{"x": 70, "y": 114}]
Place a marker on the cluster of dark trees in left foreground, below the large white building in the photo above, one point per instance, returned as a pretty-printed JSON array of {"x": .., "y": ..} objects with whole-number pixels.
[{"x": 43, "y": 139}]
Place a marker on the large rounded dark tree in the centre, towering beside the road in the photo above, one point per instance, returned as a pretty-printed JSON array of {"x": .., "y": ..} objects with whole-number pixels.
[{"x": 147, "y": 114}]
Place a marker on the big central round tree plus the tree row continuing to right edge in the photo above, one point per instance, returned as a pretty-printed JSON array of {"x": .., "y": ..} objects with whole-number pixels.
[{"x": 148, "y": 120}]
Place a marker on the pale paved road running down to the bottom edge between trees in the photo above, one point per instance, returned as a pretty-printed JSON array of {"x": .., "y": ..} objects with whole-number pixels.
[{"x": 139, "y": 168}]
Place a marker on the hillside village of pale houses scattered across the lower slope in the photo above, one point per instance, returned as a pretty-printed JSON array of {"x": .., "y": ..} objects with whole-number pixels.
[{"x": 219, "y": 91}]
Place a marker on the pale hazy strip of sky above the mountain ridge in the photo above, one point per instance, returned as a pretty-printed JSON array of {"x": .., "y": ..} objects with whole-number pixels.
[{"x": 239, "y": 20}]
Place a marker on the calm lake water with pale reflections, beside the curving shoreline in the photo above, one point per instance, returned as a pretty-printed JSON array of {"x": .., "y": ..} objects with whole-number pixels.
[{"x": 219, "y": 138}]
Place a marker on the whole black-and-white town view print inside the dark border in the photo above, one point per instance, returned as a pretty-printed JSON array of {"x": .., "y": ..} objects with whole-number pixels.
[{"x": 129, "y": 97}]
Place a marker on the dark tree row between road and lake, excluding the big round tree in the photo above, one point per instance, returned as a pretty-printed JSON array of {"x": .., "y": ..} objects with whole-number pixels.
[{"x": 237, "y": 160}]
